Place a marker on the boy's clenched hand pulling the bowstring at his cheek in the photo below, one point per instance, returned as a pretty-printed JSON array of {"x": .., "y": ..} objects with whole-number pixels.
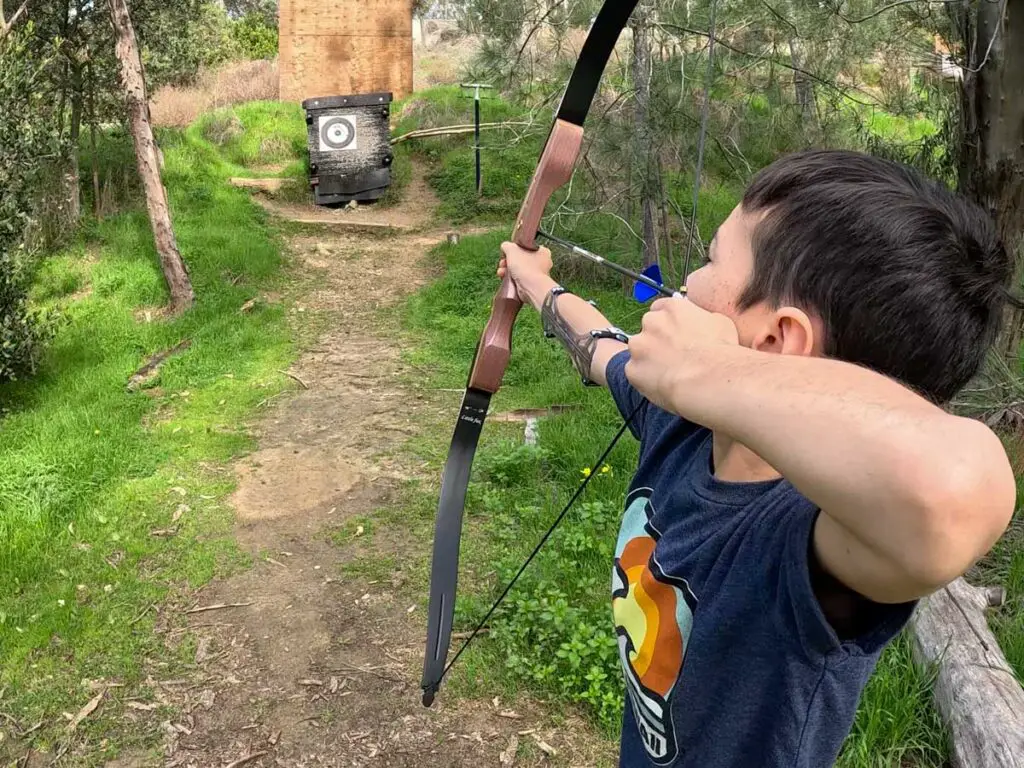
[{"x": 674, "y": 333}]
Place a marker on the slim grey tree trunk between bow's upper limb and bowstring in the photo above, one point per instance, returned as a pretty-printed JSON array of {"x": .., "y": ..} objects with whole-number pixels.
[{"x": 645, "y": 154}]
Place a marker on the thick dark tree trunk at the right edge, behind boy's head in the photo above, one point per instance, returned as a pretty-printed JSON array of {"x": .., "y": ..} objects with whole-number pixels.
[{"x": 992, "y": 161}]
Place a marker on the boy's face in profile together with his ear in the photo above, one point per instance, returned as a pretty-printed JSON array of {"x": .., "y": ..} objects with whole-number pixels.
[{"x": 718, "y": 286}]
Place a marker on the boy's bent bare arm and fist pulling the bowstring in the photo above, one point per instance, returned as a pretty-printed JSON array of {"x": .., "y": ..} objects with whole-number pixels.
[{"x": 911, "y": 495}]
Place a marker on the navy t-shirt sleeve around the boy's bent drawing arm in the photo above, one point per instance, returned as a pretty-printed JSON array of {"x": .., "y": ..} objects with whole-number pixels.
[{"x": 791, "y": 564}]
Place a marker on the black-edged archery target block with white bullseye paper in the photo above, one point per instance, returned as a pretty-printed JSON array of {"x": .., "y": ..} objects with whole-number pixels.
[{"x": 350, "y": 148}]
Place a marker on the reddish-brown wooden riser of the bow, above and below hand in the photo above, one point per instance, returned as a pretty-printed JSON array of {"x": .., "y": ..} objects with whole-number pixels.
[{"x": 554, "y": 170}]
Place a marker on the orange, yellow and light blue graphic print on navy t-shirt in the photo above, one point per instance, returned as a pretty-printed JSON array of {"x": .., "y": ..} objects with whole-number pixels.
[{"x": 654, "y": 615}]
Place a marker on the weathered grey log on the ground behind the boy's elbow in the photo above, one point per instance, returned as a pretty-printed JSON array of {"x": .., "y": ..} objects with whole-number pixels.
[{"x": 976, "y": 693}]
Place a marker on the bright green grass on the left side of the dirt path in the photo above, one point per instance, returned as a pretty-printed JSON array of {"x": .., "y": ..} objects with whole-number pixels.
[{"x": 89, "y": 472}]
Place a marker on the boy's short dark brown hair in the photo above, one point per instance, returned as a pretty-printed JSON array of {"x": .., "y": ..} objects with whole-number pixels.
[{"x": 910, "y": 279}]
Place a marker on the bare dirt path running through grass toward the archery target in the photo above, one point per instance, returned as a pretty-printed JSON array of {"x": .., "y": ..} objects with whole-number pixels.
[{"x": 320, "y": 665}]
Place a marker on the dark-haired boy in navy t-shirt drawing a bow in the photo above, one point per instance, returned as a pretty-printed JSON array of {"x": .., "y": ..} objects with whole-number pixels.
[{"x": 799, "y": 486}]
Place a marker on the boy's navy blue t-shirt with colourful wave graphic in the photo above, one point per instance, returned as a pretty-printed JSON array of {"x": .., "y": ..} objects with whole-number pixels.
[{"x": 729, "y": 659}]
